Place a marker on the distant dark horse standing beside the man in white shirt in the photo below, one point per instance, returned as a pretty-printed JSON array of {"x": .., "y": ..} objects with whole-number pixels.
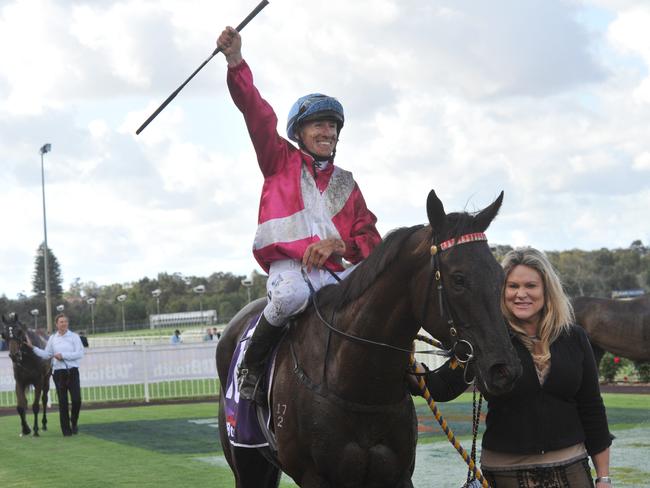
[{"x": 29, "y": 369}]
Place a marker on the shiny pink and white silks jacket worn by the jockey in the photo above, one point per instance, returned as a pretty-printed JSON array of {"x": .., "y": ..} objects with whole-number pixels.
[{"x": 299, "y": 204}]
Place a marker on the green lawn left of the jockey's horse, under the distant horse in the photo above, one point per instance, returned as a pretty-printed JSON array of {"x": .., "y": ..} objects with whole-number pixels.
[{"x": 153, "y": 446}]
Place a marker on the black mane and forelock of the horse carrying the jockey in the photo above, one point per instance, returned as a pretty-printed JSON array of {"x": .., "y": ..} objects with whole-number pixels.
[{"x": 350, "y": 289}]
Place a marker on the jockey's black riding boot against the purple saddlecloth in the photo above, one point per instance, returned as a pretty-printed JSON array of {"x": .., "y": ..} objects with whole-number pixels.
[{"x": 251, "y": 368}]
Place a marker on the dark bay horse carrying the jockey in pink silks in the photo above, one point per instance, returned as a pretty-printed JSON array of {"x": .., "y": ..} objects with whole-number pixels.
[{"x": 341, "y": 411}]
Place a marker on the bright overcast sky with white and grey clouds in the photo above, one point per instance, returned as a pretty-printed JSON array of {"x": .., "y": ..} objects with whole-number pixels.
[{"x": 546, "y": 100}]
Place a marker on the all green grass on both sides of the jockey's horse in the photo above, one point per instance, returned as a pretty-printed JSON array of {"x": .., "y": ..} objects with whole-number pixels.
[{"x": 177, "y": 445}]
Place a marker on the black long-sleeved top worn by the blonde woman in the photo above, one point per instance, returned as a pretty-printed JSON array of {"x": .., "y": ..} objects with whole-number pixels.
[{"x": 532, "y": 418}]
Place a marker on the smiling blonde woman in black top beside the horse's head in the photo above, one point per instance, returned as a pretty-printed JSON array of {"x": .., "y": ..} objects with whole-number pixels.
[{"x": 541, "y": 434}]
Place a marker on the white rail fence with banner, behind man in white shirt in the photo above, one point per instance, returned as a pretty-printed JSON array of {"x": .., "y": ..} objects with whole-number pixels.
[{"x": 135, "y": 373}]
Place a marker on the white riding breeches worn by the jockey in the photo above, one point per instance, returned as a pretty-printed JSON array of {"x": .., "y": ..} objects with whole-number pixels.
[{"x": 288, "y": 291}]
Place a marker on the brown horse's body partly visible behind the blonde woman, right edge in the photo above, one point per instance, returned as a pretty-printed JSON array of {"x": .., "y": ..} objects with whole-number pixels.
[{"x": 621, "y": 327}]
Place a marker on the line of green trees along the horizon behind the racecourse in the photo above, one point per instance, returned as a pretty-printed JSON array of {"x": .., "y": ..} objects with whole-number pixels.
[{"x": 583, "y": 273}]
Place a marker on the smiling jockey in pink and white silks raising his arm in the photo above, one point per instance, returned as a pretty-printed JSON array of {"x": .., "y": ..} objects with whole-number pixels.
[{"x": 312, "y": 214}]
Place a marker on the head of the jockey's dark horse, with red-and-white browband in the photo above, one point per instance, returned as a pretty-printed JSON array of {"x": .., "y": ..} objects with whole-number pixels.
[{"x": 464, "y": 301}]
